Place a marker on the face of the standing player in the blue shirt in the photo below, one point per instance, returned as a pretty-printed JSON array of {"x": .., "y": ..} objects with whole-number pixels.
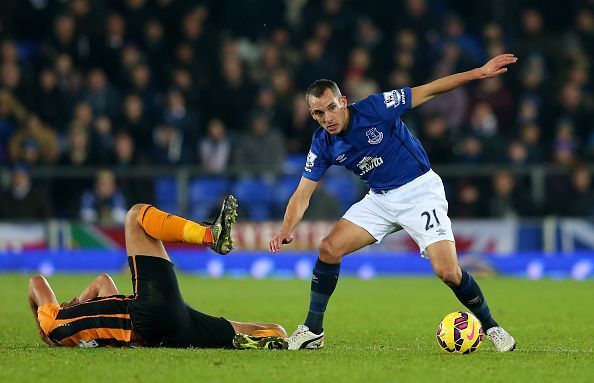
[{"x": 329, "y": 111}]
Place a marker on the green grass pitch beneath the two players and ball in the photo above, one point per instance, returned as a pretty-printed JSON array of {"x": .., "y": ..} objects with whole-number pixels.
[{"x": 380, "y": 330}]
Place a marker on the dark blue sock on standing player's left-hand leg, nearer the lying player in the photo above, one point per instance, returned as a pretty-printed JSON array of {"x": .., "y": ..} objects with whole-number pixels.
[{"x": 323, "y": 283}]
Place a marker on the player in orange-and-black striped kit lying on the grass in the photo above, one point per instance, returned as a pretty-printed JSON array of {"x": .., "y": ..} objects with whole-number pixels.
[{"x": 156, "y": 315}]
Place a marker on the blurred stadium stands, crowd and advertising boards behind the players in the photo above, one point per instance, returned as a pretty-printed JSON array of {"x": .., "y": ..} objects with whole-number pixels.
[{"x": 104, "y": 104}]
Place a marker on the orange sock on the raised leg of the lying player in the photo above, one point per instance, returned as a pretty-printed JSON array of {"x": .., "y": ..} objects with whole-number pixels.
[{"x": 171, "y": 228}]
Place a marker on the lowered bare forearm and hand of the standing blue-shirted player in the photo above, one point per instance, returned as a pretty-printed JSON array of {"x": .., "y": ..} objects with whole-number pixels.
[{"x": 295, "y": 209}]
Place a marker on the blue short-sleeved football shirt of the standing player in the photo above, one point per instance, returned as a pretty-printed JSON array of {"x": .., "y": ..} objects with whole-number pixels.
[{"x": 376, "y": 145}]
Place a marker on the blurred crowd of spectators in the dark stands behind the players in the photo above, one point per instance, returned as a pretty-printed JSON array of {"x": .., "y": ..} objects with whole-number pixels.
[{"x": 219, "y": 85}]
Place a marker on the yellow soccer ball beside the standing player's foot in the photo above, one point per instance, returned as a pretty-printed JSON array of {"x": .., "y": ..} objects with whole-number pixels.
[{"x": 460, "y": 332}]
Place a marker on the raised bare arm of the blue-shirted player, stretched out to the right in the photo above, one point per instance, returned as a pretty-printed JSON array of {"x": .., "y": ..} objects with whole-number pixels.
[{"x": 494, "y": 67}]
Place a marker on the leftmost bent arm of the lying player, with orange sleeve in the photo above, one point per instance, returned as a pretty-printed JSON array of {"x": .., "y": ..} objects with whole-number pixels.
[{"x": 43, "y": 304}]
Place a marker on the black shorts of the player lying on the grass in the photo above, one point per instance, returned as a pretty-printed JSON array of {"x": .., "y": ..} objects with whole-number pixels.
[{"x": 160, "y": 315}]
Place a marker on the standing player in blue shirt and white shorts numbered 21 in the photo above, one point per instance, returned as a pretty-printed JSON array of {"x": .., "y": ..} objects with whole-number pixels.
[{"x": 369, "y": 138}]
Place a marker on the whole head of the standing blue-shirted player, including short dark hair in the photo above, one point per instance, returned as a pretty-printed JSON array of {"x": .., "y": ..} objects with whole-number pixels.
[{"x": 327, "y": 105}]
